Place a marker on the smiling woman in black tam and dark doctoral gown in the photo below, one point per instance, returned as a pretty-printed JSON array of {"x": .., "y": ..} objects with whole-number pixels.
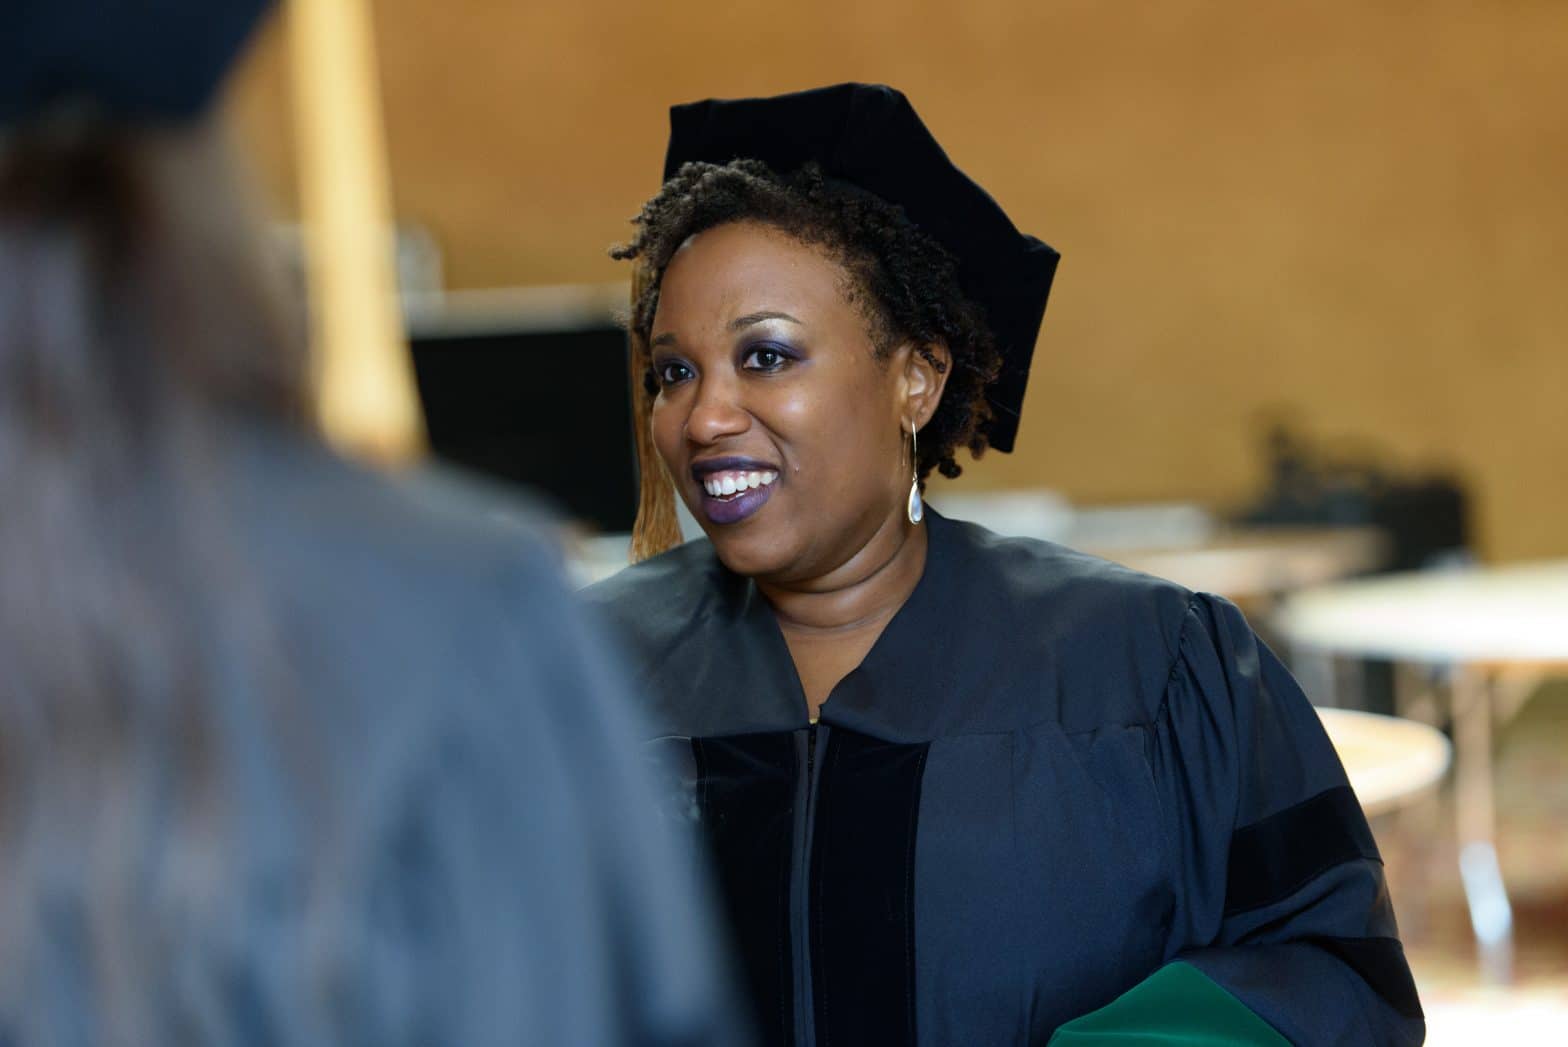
[{"x": 960, "y": 789}]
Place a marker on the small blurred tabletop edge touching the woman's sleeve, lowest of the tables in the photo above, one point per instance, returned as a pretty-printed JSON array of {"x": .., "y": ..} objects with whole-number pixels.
[{"x": 1390, "y": 761}]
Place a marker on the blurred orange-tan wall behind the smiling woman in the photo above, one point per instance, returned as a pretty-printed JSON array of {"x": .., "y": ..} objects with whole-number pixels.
[{"x": 1352, "y": 212}]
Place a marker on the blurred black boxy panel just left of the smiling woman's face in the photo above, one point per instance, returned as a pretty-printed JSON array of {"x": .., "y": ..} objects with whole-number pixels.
[{"x": 535, "y": 399}]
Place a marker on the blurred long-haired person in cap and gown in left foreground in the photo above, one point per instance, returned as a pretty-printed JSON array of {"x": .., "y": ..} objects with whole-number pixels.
[{"x": 291, "y": 753}]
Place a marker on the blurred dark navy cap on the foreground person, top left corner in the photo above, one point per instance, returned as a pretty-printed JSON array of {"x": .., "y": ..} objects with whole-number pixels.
[{"x": 126, "y": 62}]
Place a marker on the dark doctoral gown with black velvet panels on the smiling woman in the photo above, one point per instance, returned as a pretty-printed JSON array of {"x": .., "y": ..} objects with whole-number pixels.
[{"x": 1050, "y": 780}]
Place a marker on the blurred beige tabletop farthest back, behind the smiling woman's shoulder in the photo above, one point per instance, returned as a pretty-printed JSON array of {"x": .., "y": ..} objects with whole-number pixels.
[{"x": 1258, "y": 563}]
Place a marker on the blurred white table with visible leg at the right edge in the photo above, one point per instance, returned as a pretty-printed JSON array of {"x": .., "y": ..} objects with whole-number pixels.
[{"x": 1500, "y": 632}]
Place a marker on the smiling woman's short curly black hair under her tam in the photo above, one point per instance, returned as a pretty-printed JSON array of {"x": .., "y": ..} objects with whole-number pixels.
[{"x": 901, "y": 278}]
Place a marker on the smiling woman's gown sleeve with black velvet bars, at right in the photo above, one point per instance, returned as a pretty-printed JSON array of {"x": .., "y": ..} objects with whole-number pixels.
[{"x": 1280, "y": 893}]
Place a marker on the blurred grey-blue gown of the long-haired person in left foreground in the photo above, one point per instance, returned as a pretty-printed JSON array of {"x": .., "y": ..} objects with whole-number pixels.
[{"x": 423, "y": 821}]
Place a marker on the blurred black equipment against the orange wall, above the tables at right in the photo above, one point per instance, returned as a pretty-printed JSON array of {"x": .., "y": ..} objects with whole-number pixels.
[{"x": 1426, "y": 518}]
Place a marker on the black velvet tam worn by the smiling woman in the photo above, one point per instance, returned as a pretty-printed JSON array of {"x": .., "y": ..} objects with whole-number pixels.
[{"x": 871, "y": 137}]
